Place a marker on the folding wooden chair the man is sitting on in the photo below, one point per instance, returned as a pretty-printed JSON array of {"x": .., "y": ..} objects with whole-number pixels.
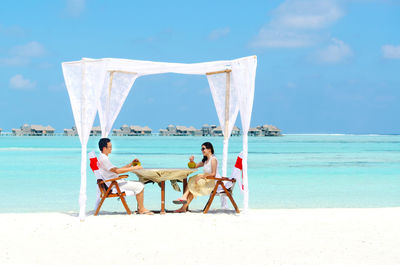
[{"x": 106, "y": 192}]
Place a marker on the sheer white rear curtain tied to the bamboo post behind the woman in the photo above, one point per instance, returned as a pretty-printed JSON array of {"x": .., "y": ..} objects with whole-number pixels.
[{"x": 219, "y": 83}]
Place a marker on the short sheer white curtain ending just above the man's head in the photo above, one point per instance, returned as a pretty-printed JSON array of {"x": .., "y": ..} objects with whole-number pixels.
[{"x": 115, "y": 90}]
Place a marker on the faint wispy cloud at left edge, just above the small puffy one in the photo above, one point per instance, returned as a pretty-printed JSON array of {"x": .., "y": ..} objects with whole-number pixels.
[{"x": 22, "y": 54}]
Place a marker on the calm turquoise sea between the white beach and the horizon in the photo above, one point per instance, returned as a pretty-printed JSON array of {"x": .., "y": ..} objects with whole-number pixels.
[{"x": 42, "y": 174}]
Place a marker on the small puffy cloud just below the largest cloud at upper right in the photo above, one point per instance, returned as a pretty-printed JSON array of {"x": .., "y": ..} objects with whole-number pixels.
[{"x": 336, "y": 52}]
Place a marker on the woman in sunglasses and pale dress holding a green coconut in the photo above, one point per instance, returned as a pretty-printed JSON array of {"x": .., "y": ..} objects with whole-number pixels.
[{"x": 199, "y": 185}]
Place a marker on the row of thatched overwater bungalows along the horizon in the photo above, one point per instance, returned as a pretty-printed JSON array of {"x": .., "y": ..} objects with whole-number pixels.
[{"x": 135, "y": 130}]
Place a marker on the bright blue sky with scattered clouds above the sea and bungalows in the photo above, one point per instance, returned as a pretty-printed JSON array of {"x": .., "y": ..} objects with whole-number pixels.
[{"x": 324, "y": 66}]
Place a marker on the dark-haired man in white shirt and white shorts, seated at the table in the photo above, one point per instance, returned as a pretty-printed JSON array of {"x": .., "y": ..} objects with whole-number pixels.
[{"x": 109, "y": 171}]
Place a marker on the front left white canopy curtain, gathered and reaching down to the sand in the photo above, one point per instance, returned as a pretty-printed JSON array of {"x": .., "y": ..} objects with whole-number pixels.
[{"x": 83, "y": 81}]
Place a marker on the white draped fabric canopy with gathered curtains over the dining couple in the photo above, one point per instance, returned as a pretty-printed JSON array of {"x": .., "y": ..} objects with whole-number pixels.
[{"x": 103, "y": 84}]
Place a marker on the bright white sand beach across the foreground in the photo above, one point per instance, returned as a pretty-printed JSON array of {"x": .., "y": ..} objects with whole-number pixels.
[{"x": 298, "y": 236}]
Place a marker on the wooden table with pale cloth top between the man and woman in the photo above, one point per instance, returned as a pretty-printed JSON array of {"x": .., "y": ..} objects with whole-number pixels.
[{"x": 160, "y": 175}]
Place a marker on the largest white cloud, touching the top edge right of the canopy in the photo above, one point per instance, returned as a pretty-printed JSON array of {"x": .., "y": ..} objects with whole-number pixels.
[{"x": 297, "y": 23}]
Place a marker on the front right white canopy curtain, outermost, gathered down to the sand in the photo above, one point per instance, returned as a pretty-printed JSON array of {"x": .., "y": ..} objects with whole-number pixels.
[{"x": 244, "y": 79}]
